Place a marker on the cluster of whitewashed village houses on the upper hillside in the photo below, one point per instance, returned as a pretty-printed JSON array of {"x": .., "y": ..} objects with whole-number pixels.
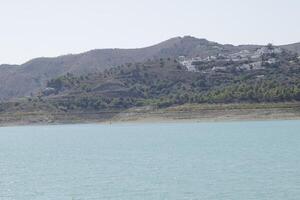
[{"x": 244, "y": 60}]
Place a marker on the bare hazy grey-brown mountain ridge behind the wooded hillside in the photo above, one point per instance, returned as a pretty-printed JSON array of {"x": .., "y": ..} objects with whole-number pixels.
[{"x": 30, "y": 77}]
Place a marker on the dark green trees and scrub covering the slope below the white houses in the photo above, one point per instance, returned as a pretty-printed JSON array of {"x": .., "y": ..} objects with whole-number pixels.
[{"x": 162, "y": 83}]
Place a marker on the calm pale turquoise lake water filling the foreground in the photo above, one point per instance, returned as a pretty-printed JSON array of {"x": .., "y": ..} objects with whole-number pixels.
[{"x": 210, "y": 161}]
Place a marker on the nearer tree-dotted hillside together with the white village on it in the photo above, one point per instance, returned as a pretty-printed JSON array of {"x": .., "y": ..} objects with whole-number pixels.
[{"x": 268, "y": 75}]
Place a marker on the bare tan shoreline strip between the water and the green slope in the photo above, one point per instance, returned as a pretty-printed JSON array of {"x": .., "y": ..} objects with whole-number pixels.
[{"x": 178, "y": 114}]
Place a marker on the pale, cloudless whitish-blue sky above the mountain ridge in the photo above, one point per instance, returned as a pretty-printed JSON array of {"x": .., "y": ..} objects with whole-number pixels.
[{"x": 47, "y": 28}]
